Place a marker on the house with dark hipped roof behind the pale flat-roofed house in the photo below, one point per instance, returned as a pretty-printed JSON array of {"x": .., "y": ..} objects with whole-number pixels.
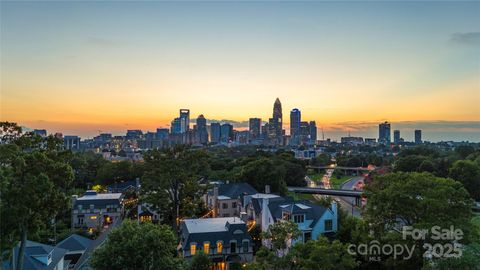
[{"x": 226, "y": 200}]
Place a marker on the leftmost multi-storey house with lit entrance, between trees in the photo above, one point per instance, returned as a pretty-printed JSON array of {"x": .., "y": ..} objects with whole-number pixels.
[{"x": 95, "y": 210}]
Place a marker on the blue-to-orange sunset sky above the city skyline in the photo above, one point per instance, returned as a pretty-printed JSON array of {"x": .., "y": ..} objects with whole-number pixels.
[{"x": 80, "y": 67}]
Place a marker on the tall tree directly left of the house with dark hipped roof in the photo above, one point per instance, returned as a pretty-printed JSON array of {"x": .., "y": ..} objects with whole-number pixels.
[{"x": 170, "y": 182}]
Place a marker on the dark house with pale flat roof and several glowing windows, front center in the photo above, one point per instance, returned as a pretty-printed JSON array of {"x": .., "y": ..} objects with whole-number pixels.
[{"x": 224, "y": 240}]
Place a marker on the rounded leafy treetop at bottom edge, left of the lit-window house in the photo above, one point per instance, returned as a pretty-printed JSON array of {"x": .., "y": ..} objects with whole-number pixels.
[{"x": 138, "y": 246}]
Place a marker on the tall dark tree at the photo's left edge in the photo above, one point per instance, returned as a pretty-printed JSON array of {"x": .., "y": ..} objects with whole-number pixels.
[{"x": 34, "y": 180}]
